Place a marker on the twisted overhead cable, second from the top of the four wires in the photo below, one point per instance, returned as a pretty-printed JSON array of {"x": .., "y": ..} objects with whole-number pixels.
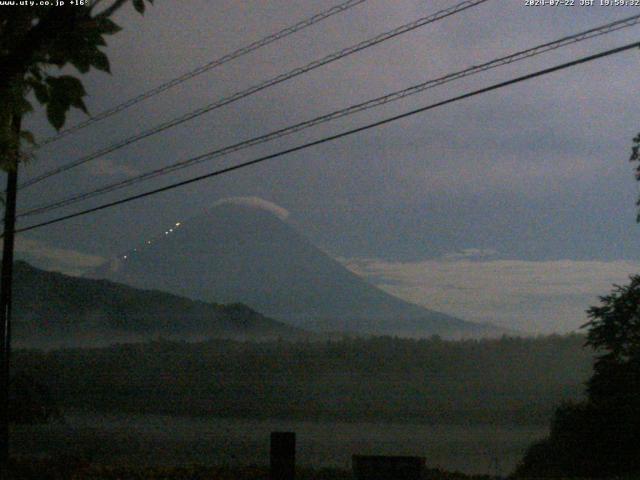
[{"x": 259, "y": 87}]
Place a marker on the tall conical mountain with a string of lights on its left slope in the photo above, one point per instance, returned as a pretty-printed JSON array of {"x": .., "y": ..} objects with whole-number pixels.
[{"x": 239, "y": 253}]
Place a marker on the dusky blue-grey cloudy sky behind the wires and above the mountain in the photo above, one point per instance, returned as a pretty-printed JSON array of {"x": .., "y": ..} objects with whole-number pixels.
[{"x": 515, "y": 207}]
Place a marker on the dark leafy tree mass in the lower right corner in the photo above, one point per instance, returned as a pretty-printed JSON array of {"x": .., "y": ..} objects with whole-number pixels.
[{"x": 600, "y": 437}]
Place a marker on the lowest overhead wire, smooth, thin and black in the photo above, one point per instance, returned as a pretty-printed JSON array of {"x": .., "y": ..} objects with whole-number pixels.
[{"x": 346, "y": 133}]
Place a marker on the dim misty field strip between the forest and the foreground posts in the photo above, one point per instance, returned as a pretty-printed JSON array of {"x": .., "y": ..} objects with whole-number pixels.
[{"x": 152, "y": 440}]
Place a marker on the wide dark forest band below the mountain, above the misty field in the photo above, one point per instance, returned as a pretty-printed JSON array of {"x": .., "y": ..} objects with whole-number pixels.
[{"x": 508, "y": 380}]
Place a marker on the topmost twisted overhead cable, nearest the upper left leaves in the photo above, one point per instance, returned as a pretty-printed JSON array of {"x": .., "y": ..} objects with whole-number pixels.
[{"x": 285, "y": 32}]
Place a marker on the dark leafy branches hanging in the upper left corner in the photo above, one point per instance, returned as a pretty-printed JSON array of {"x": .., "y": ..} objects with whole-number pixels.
[{"x": 33, "y": 41}]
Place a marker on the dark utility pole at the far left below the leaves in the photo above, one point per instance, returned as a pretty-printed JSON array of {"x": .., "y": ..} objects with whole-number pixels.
[{"x": 5, "y": 299}]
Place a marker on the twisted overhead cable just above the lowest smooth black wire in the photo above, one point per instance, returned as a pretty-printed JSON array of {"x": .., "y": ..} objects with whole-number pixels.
[{"x": 521, "y": 55}]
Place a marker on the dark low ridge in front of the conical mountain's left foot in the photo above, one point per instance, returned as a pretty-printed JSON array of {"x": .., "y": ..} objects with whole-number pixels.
[{"x": 52, "y": 310}]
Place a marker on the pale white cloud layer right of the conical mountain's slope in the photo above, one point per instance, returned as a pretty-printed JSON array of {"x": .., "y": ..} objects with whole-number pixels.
[{"x": 530, "y": 296}]
